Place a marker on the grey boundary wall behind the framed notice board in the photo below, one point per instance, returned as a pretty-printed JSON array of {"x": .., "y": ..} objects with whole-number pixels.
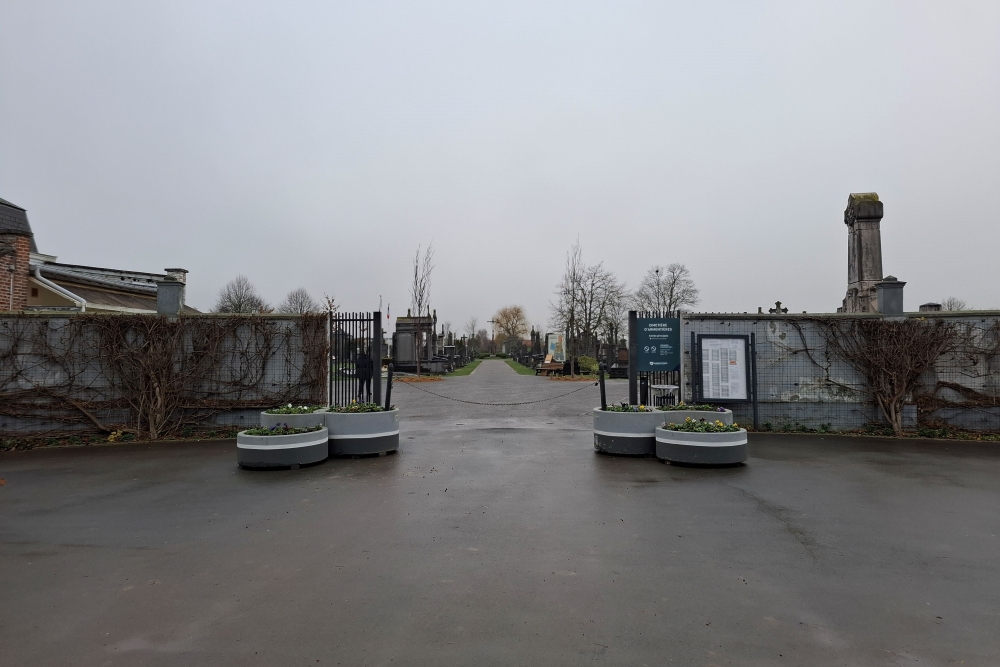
[{"x": 800, "y": 381}]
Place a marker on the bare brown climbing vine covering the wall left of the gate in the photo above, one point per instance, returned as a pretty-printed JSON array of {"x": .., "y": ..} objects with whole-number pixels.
[{"x": 152, "y": 375}]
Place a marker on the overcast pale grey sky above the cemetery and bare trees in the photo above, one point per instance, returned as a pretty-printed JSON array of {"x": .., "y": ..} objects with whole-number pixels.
[{"x": 317, "y": 144}]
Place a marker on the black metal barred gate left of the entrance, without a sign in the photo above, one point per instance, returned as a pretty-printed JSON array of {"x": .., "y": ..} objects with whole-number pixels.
[{"x": 355, "y": 358}]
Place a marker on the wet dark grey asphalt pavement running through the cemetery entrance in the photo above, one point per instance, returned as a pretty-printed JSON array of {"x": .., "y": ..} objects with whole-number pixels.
[{"x": 498, "y": 536}]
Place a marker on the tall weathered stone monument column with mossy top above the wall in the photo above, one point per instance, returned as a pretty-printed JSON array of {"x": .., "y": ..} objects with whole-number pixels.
[{"x": 863, "y": 218}]
